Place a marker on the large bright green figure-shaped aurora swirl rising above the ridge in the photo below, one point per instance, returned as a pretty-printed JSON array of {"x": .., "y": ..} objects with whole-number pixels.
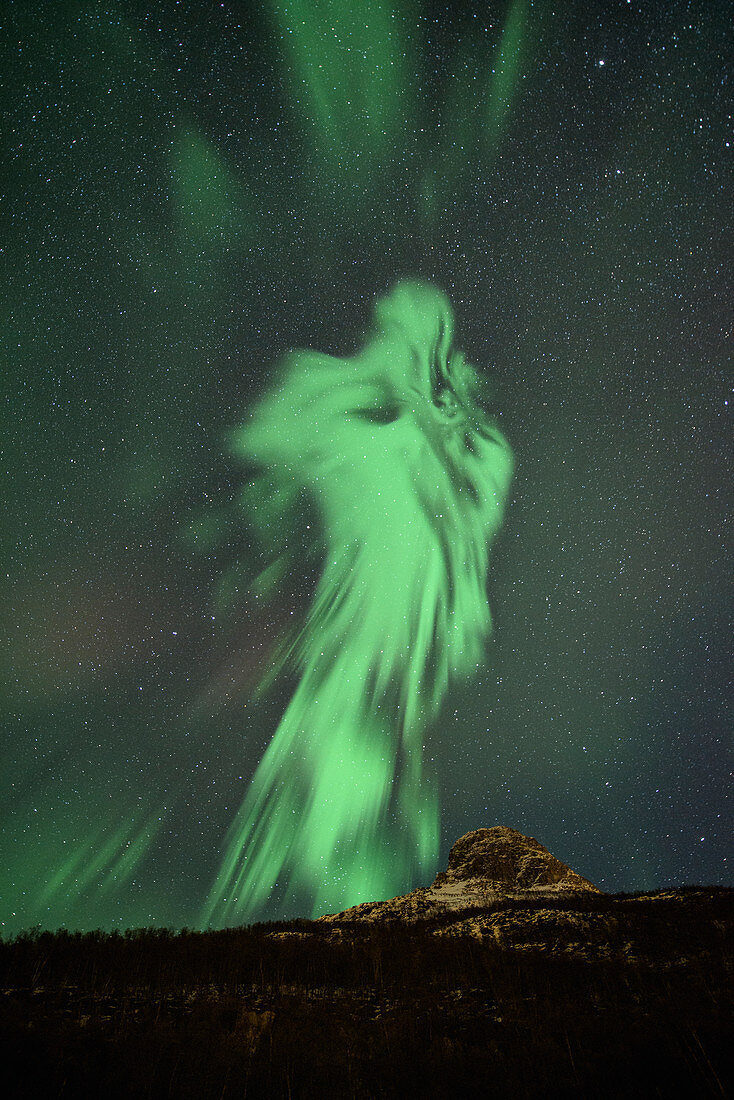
[{"x": 409, "y": 479}]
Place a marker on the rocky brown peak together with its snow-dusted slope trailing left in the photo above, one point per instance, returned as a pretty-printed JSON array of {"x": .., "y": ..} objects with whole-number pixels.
[{"x": 486, "y": 866}]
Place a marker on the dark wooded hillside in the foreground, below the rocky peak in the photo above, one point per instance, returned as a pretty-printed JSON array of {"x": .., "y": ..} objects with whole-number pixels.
[{"x": 588, "y": 997}]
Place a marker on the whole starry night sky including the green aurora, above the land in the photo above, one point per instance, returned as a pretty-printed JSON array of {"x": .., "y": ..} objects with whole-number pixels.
[{"x": 193, "y": 191}]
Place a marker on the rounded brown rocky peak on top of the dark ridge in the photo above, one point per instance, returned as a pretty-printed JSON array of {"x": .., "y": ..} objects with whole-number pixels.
[{"x": 506, "y": 861}]
